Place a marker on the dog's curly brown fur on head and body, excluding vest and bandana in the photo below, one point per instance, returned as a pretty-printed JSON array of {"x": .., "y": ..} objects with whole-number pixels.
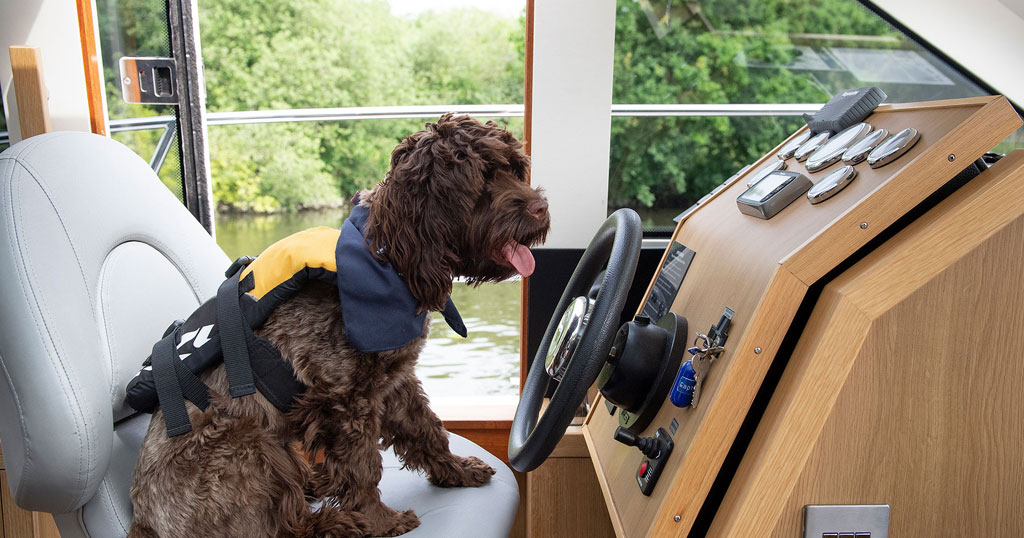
[{"x": 457, "y": 194}]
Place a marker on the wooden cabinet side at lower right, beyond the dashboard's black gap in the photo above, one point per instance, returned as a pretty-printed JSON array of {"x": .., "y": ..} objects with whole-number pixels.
[{"x": 905, "y": 388}]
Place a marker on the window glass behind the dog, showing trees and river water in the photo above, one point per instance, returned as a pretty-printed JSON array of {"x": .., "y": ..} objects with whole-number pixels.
[{"x": 272, "y": 180}]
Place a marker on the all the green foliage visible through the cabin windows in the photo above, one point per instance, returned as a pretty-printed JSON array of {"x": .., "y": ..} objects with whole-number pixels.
[{"x": 265, "y": 55}]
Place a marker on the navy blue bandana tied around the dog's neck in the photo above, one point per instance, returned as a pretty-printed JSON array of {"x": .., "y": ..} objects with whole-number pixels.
[{"x": 376, "y": 305}]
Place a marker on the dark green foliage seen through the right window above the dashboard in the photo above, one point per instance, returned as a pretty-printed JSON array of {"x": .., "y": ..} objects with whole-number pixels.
[{"x": 732, "y": 57}]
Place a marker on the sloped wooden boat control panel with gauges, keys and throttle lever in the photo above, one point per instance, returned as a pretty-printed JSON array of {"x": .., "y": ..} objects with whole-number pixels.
[{"x": 682, "y": 376}]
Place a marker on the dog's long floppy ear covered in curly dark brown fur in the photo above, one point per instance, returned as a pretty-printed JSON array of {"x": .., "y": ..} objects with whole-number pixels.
[{"x": 421, "y": 211}]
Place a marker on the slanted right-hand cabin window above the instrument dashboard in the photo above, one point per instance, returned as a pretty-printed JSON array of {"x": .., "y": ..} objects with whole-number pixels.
[{"x": 757, "y": 63}]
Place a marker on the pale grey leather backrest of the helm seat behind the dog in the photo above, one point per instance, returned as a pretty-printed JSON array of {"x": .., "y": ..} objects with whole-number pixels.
[{"x": 97, "y": 259}]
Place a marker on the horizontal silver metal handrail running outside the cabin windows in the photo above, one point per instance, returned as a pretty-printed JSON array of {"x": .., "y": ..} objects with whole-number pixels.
[{"x": 434, "y": 111}]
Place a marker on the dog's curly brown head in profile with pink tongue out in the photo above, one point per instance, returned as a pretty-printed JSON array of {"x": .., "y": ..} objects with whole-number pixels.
[{"x": 456, "y": 203}]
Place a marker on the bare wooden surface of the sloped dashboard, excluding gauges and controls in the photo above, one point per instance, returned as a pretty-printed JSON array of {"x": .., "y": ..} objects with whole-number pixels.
[{"x": 762, "y": 270}]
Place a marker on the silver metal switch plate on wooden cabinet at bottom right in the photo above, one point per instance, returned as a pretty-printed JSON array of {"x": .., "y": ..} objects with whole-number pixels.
[{"x": 861, "y": 521}]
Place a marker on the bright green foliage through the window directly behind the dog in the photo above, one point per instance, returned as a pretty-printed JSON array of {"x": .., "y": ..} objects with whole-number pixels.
[{"x": 323, "y": 54}]
